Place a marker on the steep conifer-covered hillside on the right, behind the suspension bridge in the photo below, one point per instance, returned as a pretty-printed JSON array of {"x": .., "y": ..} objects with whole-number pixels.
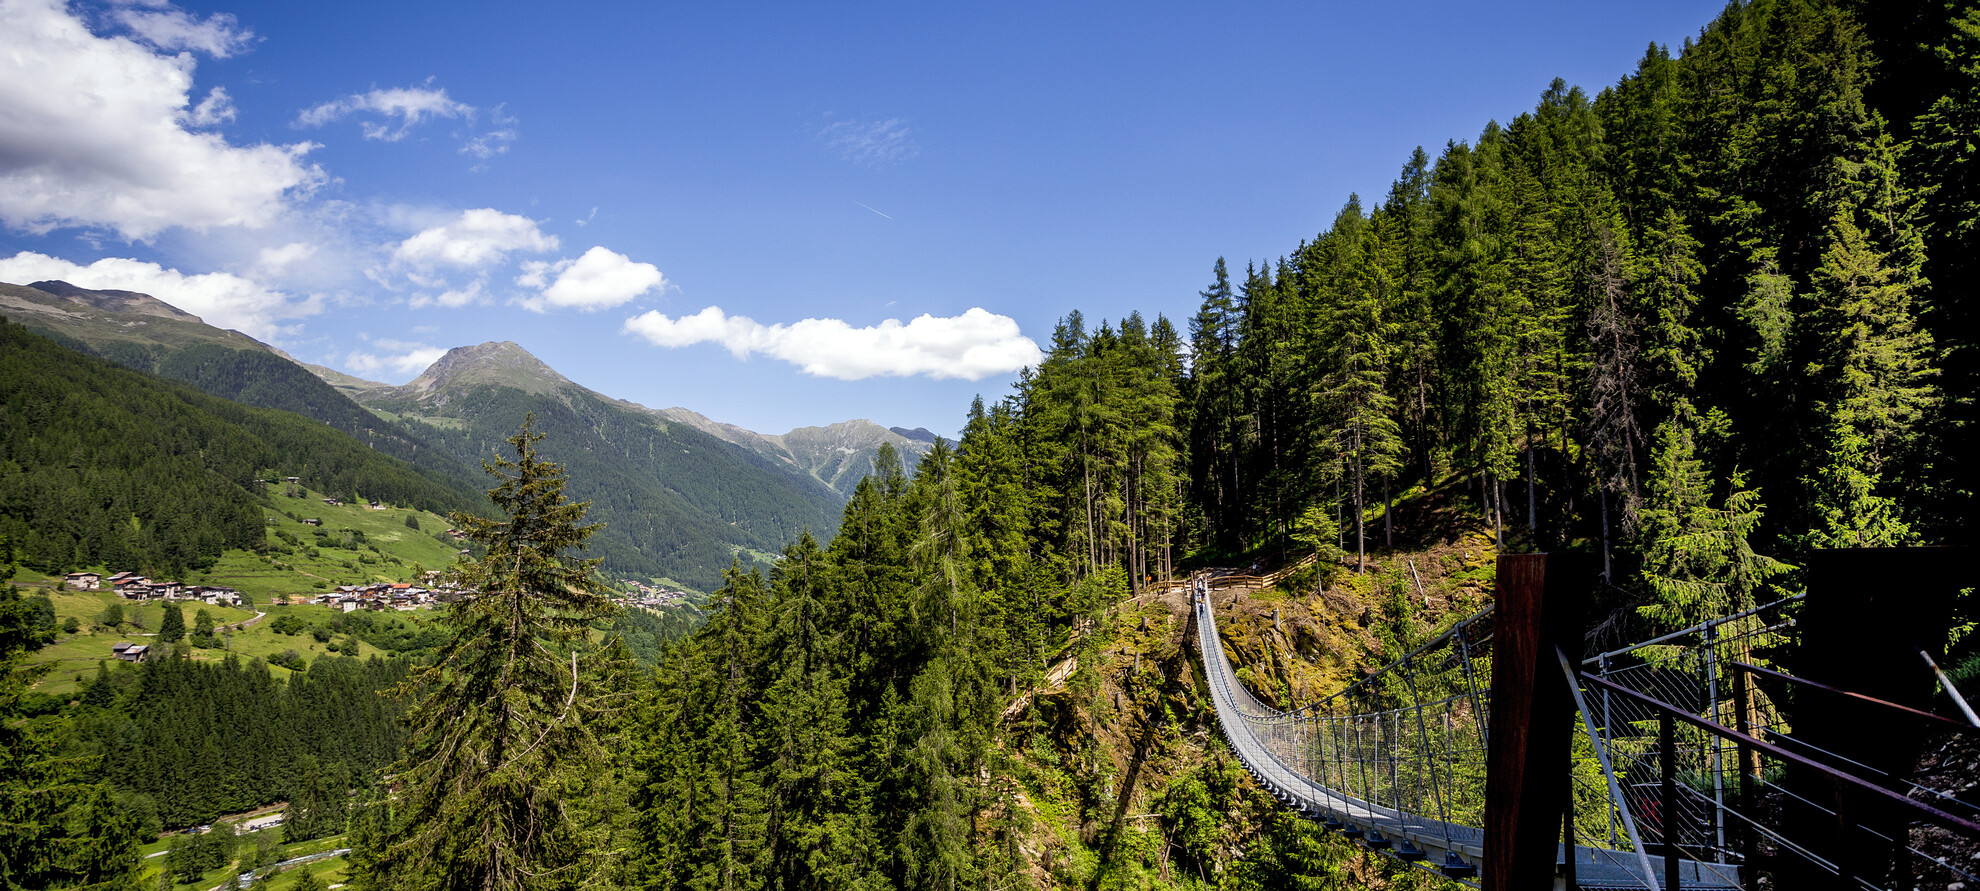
[{"x": 1700, "y": 324}]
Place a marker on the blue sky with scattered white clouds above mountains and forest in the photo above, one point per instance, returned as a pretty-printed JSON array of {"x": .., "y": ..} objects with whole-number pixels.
[{"x": 722, "y": 207}]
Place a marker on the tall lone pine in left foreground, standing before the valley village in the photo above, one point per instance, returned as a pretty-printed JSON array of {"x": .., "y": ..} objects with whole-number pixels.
[{"x": 506, "y": 722}]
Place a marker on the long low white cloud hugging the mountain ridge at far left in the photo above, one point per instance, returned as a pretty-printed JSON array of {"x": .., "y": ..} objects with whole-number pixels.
[{"x": 223, "y": 300}]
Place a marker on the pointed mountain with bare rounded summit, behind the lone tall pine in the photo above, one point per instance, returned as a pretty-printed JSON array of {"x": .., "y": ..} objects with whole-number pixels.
[{"x": 676, "y": 502}]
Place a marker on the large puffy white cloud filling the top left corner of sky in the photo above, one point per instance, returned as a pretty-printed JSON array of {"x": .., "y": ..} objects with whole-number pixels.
[{"x": 94, "y": 134}]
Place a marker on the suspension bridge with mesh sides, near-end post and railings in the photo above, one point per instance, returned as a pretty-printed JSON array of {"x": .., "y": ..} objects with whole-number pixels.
[{"x": 1504, "y": 755}]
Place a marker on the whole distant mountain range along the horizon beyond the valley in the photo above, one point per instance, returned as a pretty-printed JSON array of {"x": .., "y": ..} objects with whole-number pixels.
[{"x": 682, "y": 496}]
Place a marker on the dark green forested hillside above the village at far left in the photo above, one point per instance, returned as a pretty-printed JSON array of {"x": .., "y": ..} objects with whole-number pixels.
[{"x": 108, "y": 466}]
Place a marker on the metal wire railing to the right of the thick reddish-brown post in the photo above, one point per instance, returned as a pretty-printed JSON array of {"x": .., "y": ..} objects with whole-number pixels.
[{"x": 1712, "y": 769}]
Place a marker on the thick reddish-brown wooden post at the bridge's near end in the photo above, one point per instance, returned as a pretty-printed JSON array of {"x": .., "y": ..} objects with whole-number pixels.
[{"x": 1528, "y": 757}]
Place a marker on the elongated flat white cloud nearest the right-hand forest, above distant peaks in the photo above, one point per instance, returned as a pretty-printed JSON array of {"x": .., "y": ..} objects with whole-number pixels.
[{"x": 971, "y": 346}]
